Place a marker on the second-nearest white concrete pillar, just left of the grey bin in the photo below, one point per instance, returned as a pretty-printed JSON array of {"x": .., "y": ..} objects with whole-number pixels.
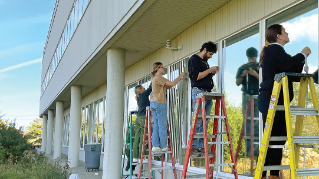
[{"x": 75, "y": 126}]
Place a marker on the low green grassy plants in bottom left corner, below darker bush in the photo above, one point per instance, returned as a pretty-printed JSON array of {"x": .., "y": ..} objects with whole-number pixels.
[{"x": 32, "y": 165}]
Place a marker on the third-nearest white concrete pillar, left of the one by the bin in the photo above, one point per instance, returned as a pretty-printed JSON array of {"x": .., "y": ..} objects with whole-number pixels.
[{"x": 58, "y": 129}]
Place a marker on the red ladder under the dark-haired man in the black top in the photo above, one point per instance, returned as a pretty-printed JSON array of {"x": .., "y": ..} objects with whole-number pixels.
[{"x": 210, "y": 161}]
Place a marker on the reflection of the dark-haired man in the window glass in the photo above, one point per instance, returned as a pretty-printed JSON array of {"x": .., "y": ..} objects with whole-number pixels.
[{"x": 248, "y": 76}]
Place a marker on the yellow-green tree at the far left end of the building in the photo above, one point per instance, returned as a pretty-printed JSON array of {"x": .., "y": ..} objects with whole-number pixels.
[{"x": 34, "y": 132}]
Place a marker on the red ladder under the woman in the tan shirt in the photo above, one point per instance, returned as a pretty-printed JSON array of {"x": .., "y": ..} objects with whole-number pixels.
[{"x": 150, "y": 153}]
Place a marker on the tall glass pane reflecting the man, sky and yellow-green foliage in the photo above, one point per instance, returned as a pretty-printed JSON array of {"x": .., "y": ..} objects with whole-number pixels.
[{"x": 241, "y": 79}]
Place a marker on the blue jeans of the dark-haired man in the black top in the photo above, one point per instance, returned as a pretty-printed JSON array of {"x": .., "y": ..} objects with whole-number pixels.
[{"x": 199, "y": 142}]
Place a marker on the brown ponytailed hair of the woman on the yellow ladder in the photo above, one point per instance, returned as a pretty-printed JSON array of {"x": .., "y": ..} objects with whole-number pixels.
[{"x": 271, "y": 37}]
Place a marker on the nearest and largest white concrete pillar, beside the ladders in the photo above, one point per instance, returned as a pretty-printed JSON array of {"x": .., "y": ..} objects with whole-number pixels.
[{"x": 114, "y": 114}]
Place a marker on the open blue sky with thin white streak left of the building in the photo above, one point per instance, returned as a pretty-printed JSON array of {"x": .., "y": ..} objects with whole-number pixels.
[{"x": 24, "y": 28}]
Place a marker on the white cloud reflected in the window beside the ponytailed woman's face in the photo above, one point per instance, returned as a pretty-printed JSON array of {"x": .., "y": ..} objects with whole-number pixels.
[{"x": 303, "y": 27}]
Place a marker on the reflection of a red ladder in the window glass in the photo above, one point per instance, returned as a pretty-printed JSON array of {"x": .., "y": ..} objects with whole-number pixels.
[{"x": 251, "y": 104}]
